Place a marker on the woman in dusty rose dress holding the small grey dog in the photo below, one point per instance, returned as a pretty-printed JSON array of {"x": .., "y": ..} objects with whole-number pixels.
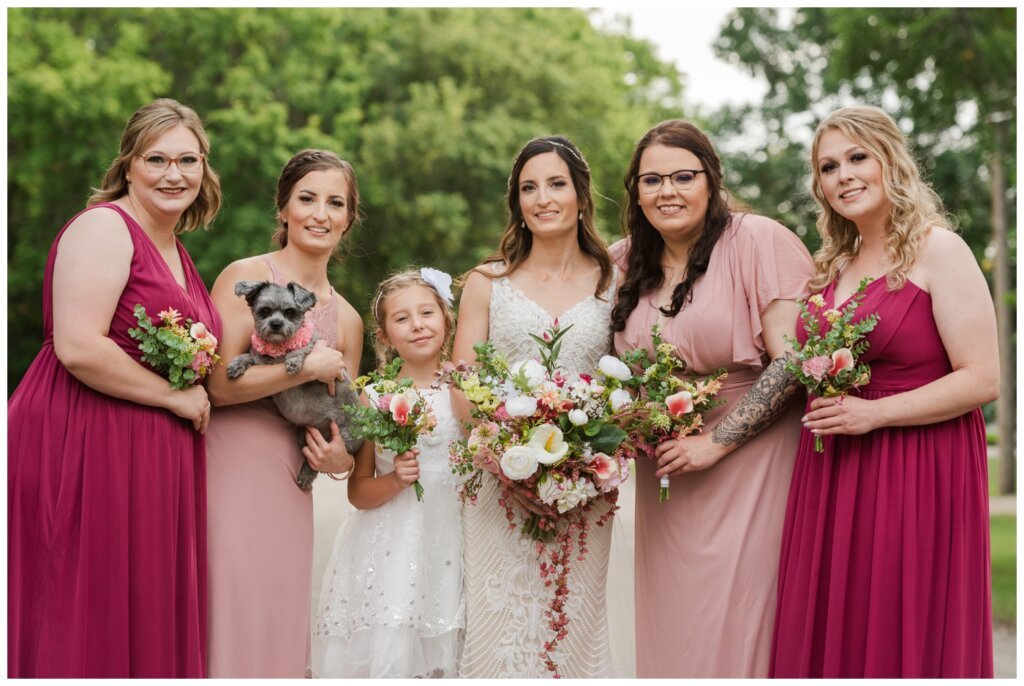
[{"x": 261, "y": 535}]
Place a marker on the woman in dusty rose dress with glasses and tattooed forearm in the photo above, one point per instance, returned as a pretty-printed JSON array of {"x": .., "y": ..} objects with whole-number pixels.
[{"x": 723, "y": 286}]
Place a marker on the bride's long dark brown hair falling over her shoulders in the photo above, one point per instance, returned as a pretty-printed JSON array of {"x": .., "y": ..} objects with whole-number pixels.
[{"x": 518, "y": 241}]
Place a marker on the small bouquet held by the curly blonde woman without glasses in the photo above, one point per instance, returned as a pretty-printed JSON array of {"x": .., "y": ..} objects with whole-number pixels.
[{"x": 827, "y": 363}]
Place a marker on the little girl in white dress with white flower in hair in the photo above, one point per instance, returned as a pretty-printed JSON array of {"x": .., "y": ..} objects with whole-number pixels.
[{"x": 392, "y": 604}]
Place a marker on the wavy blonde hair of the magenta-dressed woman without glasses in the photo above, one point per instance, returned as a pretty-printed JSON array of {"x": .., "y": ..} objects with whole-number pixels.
[{"x": 915, "y": 206}]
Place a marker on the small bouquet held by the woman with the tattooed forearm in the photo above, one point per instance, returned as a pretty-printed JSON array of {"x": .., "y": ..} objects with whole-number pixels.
[{"x": 669, "y": 406}]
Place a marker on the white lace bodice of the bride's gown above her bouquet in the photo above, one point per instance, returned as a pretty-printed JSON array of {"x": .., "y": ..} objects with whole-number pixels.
[{"x": 514, "y": 317}]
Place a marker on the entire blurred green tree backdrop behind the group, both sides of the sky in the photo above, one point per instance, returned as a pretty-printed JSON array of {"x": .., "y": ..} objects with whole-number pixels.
[{"x": 432, "y": 105}]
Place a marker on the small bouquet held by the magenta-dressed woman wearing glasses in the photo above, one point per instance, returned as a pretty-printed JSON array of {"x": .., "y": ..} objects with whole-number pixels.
[{"x": 183, "y": 353}]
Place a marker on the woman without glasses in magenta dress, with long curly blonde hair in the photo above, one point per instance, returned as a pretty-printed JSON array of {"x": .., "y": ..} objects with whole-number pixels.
[{"x": 885, "y": 562}]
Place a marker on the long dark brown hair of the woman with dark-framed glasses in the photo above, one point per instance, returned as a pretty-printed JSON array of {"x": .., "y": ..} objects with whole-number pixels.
[{"x": 647, "y": 246}]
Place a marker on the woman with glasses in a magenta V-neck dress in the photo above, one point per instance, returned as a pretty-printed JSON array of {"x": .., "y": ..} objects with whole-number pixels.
[{"x": 106, "y": 476}]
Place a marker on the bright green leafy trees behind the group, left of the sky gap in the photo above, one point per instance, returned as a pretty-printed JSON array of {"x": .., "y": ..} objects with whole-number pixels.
[{"x": 430, "y": 105}]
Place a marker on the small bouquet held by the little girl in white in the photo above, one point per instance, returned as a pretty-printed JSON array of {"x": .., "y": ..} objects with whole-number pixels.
[{"x": 396, "y": 415}]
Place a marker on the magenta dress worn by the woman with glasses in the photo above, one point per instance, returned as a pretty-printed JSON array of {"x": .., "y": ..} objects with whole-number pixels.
[{"x": 107, "y": 507}]
